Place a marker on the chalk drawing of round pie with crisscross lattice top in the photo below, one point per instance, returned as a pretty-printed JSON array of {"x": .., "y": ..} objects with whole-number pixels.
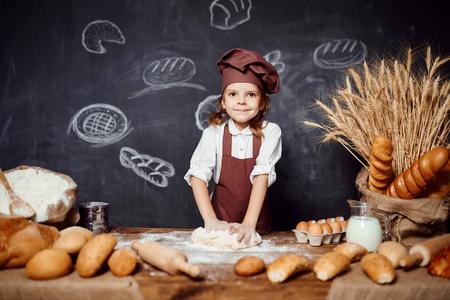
[{"x": 100, "y": 124}]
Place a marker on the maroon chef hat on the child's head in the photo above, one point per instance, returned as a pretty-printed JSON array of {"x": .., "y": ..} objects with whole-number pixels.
[{"x": 240, "y": 65}]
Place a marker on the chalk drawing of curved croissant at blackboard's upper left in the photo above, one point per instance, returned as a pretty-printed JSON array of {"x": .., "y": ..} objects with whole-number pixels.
[{"x": 100, "y": 31}]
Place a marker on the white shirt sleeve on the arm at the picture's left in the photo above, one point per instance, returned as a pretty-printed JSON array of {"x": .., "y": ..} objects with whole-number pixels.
[{"x": 203, "y": 160}]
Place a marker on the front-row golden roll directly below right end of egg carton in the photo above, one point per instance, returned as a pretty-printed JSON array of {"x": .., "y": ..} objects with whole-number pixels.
[{"x": 330, "y": 265}]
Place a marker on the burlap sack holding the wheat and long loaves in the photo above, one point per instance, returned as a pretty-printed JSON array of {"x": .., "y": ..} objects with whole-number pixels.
[{"x": 412, "y": 221}]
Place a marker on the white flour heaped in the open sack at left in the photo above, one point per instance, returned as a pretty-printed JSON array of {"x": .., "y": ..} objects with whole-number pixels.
[{"x": 38, "y": 188}]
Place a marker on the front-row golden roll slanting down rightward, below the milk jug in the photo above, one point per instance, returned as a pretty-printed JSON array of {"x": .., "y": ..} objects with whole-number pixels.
[{"x": 378, "y": 267}]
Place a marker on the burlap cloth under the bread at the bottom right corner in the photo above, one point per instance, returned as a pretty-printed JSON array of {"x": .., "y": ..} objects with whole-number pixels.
[{"x": 413, "y": 284}]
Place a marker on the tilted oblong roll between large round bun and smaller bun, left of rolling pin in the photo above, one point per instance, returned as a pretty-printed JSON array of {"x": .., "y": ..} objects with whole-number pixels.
[{"x": 94, "y": 254}]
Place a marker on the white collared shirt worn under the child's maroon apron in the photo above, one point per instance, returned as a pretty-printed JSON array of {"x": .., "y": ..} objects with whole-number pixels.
[{"x": 207, "y": 158}]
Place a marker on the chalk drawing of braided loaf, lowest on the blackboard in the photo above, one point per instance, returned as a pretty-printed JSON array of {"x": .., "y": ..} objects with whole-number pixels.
[{"x": 152, "y": 169}]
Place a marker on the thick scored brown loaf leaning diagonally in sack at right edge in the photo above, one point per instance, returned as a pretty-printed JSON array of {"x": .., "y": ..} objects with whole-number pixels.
[{"x": 410, "y": 183}]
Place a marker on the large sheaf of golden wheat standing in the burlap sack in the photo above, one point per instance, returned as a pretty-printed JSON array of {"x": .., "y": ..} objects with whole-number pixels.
[{"x": 405, "y": 98}]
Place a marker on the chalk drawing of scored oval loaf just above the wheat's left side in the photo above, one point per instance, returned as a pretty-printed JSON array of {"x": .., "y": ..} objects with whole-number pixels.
[{"x": 339, "y": 54}]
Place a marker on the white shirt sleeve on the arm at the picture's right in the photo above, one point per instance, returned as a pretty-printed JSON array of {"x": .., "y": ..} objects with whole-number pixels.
[{"x": 269, "y": 153}]
